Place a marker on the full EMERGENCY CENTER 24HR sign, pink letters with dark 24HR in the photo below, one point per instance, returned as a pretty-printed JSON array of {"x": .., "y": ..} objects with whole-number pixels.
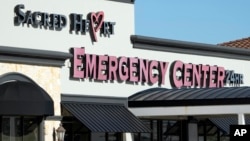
[{"x": 138, "y": 70}]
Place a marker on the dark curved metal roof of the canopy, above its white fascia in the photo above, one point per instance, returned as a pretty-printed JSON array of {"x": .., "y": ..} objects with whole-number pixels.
[{"x": 156, "y": 97}]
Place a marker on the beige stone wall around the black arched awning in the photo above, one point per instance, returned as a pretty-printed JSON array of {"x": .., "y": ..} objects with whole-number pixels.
[{"x": 46, "y": 77}]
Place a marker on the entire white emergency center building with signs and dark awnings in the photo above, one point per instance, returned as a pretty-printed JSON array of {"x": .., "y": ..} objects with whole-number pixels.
[{"x": 79, "y": 64}]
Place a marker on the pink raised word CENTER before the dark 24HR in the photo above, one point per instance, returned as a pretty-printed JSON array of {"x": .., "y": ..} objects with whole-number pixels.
[{"x": 196, "y": 75}]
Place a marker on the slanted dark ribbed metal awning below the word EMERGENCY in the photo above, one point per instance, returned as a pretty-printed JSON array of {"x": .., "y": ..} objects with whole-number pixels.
[{"x": 105, "y": 117}]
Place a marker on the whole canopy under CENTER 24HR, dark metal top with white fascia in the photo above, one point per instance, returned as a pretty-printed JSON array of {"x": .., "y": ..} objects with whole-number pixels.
[{"x": 162, "y": 102}]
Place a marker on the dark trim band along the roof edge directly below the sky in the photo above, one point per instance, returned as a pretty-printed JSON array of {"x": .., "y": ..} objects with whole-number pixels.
[{"x": 167, "y": 45}]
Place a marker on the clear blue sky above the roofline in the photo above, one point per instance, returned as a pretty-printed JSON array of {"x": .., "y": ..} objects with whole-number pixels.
[{"x": 202, "y": 21}]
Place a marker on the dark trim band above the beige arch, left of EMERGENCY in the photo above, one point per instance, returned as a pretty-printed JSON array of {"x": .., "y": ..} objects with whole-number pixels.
[{"x": 33, "y": 56}]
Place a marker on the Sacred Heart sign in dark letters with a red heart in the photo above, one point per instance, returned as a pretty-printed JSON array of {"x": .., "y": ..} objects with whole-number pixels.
[{"x": 93, "y": 23}]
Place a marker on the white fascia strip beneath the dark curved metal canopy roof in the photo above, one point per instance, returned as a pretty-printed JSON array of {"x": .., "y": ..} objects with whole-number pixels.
[{"x": 183, "y": 111}]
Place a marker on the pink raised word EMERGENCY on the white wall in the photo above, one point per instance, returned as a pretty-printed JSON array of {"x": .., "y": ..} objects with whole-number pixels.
[{"x": 102, "y": 67}]
